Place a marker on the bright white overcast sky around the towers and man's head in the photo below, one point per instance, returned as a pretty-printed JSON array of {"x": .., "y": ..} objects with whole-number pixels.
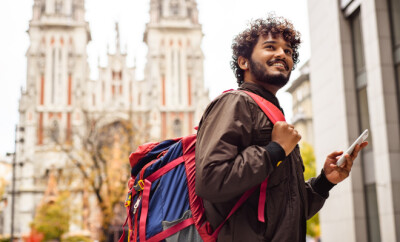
[{"x": 221, "y": 21}]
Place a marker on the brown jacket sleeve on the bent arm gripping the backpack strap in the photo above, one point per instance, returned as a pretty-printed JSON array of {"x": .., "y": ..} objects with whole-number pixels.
[{"x": 227, "y": 164}]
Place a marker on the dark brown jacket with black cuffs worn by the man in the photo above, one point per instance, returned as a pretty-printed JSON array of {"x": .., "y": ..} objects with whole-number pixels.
[{"x": 231, "y": 158}]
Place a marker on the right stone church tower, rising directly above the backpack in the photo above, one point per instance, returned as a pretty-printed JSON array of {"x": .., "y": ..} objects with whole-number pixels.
[{"x": 174, "y": 70}]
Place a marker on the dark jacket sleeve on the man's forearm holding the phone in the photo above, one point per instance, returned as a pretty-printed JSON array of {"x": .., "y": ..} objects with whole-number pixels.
[{"x": 317, "y": 192}]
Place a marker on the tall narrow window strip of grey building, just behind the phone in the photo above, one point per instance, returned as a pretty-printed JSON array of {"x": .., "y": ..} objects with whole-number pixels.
[{"x": 363, "y": 117}]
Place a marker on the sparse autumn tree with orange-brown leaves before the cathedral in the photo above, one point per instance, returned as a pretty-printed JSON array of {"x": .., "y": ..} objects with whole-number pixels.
[{"x": 100, "y": 154}]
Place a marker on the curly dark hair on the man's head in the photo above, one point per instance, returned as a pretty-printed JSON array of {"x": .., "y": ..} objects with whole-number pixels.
[{"x": 243, "y": 44}]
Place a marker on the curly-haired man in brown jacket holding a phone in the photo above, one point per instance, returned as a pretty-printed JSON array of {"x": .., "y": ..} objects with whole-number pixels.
[{"x": 238, "y": 147}]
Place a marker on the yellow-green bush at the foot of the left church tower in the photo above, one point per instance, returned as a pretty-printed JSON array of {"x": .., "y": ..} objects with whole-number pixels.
[{"x": 52, "y": 219}]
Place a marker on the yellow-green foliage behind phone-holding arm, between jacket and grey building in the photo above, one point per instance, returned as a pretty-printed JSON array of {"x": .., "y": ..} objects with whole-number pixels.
[{"x": 307, "y": 153}]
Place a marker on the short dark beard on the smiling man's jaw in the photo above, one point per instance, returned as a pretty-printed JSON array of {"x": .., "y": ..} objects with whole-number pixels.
[{"x": 262, "y": 75}]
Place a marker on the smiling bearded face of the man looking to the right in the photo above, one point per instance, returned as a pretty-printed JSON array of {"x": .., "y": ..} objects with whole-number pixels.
[{"x": 271, "y": 62}]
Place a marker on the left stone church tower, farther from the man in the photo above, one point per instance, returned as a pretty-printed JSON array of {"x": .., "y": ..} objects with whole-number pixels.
[{"x": 51, "y": 106}]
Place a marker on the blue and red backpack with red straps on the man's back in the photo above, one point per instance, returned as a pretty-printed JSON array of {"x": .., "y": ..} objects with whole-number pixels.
[{"x": 161, "y": 204}]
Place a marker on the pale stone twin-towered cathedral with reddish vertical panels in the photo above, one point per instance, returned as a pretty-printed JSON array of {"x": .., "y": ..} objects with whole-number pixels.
[{"x": 59, "y": 93}]
